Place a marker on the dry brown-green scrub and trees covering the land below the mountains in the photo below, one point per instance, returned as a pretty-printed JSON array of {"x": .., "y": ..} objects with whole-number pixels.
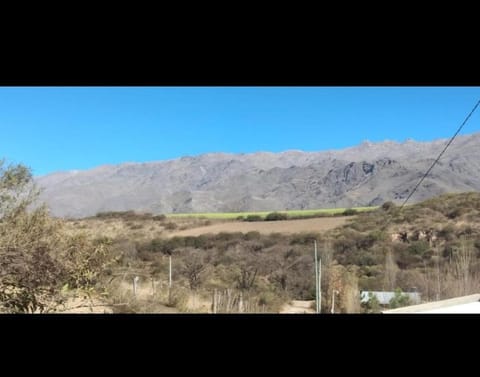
[{"x": 123, "y": 259}]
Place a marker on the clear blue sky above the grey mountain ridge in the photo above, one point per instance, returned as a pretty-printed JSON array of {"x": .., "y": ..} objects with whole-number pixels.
[{"x": 65, "y": 128}]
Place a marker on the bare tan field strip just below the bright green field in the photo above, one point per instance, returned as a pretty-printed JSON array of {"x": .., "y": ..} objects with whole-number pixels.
[{"x": 321, "y": 224}]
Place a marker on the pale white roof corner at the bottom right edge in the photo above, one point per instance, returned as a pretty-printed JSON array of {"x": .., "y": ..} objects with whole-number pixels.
[{"x": 464, "y": 304}]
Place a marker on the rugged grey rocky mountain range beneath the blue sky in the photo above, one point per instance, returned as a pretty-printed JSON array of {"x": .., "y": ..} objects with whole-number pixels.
[{"x": 363, "y": 175}]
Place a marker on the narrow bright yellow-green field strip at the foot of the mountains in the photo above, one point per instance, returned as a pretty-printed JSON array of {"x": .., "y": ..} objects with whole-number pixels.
[{"x": 290, "y": 214}]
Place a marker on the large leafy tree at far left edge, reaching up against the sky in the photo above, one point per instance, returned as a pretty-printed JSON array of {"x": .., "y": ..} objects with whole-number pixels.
[{"x": 37, "y": 257}]
